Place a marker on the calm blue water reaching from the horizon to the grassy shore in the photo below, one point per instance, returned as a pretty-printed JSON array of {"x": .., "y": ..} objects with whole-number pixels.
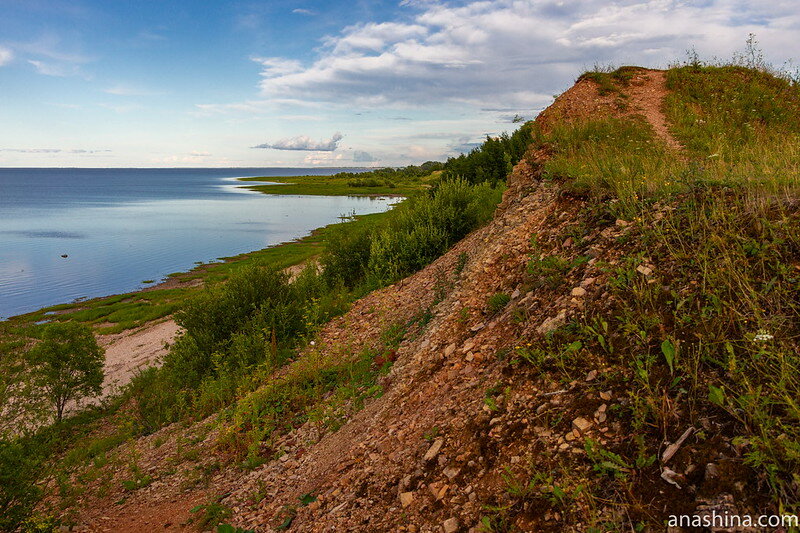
[{"x": 119, "y": 227}]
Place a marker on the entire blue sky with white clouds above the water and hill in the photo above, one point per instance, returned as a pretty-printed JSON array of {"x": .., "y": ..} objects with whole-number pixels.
[{"x": 168, "y": 83}]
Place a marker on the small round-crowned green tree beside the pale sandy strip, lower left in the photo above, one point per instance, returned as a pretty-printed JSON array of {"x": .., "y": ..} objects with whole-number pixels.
[{"x": 67, "y": 364}]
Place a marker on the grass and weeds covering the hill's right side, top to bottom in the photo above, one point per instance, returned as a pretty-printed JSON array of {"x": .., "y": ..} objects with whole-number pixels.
[{"x": 711, "y": 339}]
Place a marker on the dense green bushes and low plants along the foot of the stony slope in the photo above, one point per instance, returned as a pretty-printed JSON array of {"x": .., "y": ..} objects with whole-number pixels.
[{"x": 239, "y": 331}]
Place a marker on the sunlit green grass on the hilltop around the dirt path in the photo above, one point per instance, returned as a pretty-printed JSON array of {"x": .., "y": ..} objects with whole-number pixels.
[{"x": 740, "y": 128}]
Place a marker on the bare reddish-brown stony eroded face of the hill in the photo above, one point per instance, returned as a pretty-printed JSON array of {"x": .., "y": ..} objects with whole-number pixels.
[{"x": 463, "y": 421}]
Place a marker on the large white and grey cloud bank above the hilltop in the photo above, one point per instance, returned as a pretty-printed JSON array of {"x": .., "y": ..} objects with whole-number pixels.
[{"x": 515, "y": 53}]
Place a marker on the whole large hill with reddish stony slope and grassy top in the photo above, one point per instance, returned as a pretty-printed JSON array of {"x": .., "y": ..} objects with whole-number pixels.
[{"x": 616, "y": 344}]
